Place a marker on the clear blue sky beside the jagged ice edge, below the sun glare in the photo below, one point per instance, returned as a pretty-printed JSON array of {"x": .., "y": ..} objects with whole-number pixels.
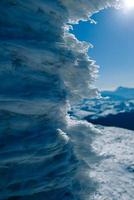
[{"x": 113, "y": 40}]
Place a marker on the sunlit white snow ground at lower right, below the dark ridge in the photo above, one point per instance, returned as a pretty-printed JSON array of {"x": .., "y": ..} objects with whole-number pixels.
[{"x": 115, "y": 170}]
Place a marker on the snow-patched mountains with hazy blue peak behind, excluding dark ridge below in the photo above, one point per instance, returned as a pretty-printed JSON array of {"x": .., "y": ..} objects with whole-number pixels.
[{"x": 111, "y": 103}]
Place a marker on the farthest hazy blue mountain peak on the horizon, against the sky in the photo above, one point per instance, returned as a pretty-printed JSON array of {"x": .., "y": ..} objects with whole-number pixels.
[{"x": 120, "y": 93}]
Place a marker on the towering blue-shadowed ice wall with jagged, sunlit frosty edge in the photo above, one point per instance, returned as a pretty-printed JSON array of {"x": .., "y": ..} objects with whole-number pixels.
[{"x": 42, "y": 154}]
